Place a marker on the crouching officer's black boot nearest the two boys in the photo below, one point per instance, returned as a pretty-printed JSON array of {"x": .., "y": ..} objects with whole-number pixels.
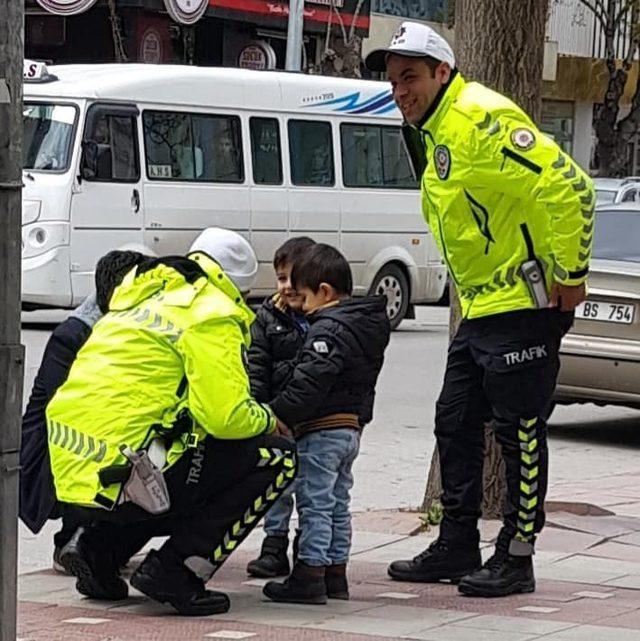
[{"x": 166, "y": 579}]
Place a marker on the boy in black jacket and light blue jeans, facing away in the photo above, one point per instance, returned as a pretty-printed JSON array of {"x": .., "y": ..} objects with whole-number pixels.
[{"x": 326, "y": 403}]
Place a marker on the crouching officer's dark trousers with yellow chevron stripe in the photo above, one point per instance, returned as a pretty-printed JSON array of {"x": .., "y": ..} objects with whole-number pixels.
[{"x": 219, "y": 491}]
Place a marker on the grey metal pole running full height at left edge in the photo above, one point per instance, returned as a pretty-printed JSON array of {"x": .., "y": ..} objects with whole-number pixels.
[{"x": 11, "y": 352}]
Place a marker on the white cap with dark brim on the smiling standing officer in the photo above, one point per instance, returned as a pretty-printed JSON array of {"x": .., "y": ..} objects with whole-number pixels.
[{"x": 413, "y": 40}]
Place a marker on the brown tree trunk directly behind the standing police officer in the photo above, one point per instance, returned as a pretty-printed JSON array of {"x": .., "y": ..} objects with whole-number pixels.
[{"x": 499, "y": 43}]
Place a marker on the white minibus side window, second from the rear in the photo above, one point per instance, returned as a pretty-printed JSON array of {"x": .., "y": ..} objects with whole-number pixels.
[{"x": 311, "y": 152}]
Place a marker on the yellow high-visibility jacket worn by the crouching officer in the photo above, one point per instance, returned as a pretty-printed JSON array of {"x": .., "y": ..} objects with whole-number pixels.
[{"x": 174, "y": 337}]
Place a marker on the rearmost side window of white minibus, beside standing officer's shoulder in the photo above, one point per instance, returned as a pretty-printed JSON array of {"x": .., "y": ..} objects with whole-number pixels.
[{"x": 375, "y": 156}]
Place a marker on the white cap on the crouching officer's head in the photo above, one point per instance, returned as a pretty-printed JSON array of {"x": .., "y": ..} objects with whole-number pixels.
[{"x": 232, "y": 252}]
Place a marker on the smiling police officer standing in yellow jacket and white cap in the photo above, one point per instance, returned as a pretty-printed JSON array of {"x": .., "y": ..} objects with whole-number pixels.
[{"x": 512, "y": 215}]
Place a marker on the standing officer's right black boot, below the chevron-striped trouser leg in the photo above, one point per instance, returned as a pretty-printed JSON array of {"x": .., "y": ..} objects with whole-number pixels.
[{"x": 501, "y": 575}]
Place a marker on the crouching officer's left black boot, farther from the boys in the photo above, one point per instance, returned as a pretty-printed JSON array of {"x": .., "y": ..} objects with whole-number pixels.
[{"x": 89, "y": 558}]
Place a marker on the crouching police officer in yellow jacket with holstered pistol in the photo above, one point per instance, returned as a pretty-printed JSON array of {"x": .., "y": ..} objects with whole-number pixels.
[{"x": 154, "y": 431}]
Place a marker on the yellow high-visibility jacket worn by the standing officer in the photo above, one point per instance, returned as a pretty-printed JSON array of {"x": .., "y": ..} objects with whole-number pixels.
[{"x": 492, "y": 179}]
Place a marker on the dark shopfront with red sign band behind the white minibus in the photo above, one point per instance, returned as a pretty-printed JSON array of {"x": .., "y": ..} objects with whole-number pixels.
[{"x": 249, "y": 33}]
